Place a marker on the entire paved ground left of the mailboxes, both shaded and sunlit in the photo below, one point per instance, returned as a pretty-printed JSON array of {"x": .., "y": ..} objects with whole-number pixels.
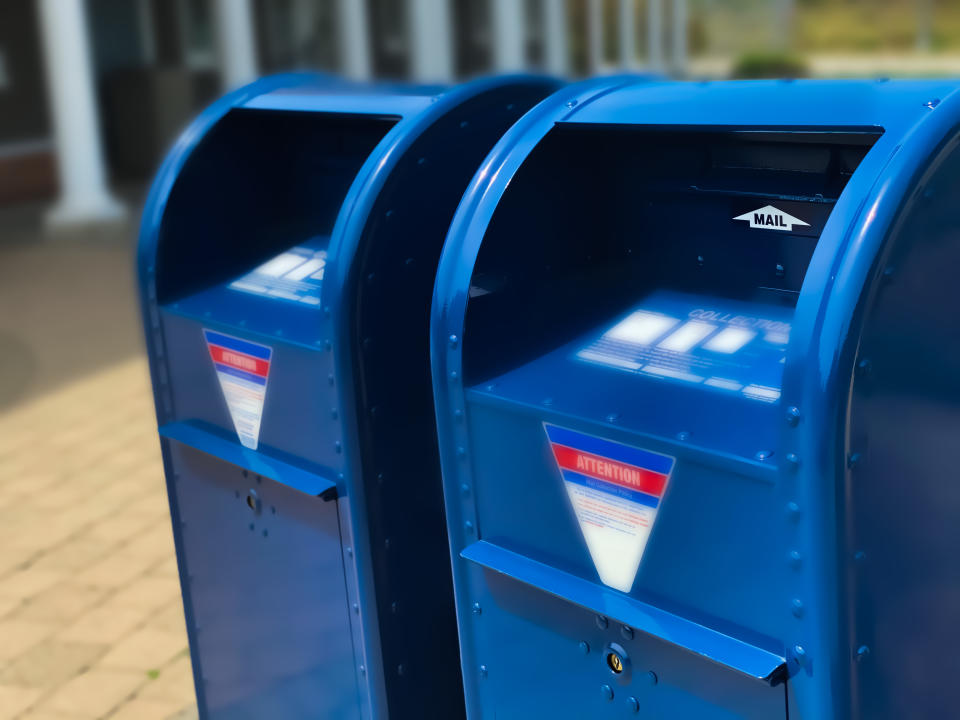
[{"x": 91, "y": 622}]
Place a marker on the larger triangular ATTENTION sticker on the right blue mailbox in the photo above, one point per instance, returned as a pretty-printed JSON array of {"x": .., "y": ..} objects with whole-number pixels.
[{"x": 615, "y": 491}]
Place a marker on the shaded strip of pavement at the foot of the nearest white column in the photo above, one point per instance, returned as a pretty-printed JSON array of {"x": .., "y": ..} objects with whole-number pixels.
[{"x": 68, "y": 302}]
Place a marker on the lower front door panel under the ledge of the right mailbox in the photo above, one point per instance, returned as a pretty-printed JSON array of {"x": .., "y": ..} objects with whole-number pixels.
[{"x": 549, "y": 658}]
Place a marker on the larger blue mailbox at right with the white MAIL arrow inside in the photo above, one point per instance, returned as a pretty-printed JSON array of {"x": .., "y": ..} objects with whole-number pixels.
[{"x": 694, "y": 354}]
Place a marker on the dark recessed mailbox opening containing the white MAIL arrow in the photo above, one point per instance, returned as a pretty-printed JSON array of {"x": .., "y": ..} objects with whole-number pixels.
[{"x": 604, "y": 220}]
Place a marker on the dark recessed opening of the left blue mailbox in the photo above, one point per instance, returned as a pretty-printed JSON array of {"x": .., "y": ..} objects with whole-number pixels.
[{"x": 258, "y": 184}]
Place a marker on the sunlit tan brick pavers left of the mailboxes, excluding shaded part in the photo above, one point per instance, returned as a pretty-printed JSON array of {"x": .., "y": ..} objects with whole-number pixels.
[{"x": 91, "y": 622}]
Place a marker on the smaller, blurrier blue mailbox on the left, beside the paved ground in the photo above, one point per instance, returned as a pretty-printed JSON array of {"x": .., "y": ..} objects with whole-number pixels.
[{"x": 287, "y": 256}]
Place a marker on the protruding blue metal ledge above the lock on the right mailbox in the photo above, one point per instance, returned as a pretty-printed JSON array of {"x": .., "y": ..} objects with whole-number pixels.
[{"x": 723, "y": 649}]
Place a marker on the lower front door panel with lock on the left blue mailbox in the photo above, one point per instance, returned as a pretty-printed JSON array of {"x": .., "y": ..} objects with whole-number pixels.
[{"x": 267, "y": 593}]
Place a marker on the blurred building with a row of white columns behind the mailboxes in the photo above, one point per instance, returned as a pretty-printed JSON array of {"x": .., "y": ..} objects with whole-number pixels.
[{"x": 93, "y": 91}]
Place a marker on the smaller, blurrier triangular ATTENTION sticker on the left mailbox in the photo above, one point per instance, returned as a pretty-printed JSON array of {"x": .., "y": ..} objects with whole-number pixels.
[{"x": 242, "y": 369}]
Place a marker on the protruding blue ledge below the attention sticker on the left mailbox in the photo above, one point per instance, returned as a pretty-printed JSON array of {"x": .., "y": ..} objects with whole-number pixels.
[{"x": 254, "y": 461}]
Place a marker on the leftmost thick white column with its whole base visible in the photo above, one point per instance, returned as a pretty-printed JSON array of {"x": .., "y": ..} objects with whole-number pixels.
[{"x": 84, "y": 196}]
